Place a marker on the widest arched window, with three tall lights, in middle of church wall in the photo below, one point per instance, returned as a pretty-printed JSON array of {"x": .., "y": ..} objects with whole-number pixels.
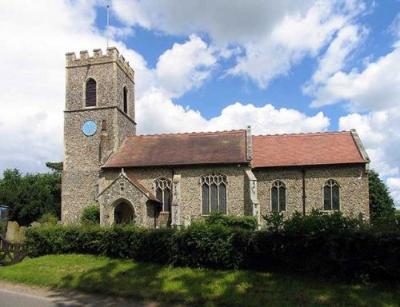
[{"x": 213, "y": 191}]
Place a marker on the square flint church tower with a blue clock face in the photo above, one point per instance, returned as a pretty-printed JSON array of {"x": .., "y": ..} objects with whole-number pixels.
[{"x": 99, "y": 114}]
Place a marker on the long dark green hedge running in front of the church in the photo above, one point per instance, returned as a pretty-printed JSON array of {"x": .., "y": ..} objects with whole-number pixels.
[{"x": 344, "y": 251}]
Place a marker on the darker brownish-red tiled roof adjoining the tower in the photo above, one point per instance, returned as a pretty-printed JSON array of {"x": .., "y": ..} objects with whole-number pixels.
[{"x": 223, "y": 147}]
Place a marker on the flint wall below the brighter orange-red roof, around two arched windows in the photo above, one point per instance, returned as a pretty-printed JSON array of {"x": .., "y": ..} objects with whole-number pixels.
[{"x": 353, "y": 181}]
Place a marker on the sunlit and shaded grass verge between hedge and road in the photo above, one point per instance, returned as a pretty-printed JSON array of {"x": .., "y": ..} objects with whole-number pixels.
[{"x": 192, "y": 286}]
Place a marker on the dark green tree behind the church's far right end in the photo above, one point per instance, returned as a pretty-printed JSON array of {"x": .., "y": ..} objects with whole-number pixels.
[{"x": 381, "y": 204}]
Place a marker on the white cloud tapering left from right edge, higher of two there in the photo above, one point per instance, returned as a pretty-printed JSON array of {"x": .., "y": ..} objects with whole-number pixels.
[{"x": 377, "y": 87}]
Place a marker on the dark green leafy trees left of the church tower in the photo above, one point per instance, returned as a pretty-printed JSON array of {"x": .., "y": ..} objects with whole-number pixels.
[{"x": 30, "y": 196}]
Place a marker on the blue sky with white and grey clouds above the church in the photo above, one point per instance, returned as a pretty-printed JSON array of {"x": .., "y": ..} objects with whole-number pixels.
[{"x": 283, "y": 66}]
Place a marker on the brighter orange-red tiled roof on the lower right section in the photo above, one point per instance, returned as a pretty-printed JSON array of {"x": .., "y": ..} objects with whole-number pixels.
[{"x": 305, "y": 149}]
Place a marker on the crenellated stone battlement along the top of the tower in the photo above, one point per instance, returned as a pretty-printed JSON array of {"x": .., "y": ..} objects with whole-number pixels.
[{"x": 112, "y": 55}]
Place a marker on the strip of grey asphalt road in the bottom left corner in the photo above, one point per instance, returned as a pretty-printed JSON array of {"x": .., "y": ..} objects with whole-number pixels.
[{"x": 21, "y": 296}]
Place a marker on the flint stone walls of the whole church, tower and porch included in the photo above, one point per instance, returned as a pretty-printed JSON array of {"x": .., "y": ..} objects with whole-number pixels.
[{"x": 248, "y": 191}]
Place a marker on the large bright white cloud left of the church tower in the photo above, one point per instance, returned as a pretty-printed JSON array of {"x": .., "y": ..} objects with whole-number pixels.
[{"x": 34, "y": 41}]
